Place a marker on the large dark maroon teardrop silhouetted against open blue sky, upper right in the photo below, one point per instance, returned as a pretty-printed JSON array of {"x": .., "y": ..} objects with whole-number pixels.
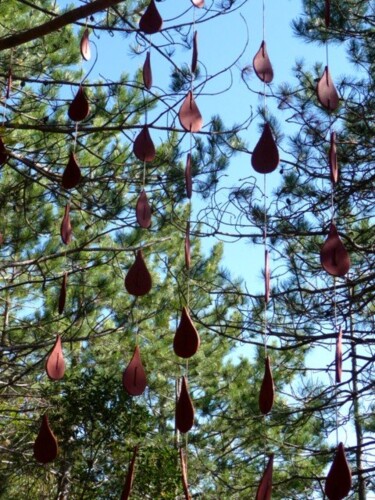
[{"x": 265, "y": 157}]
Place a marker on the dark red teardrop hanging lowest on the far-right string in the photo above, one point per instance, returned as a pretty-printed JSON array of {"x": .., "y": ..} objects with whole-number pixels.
[{"x": 339, "y": 478}]
